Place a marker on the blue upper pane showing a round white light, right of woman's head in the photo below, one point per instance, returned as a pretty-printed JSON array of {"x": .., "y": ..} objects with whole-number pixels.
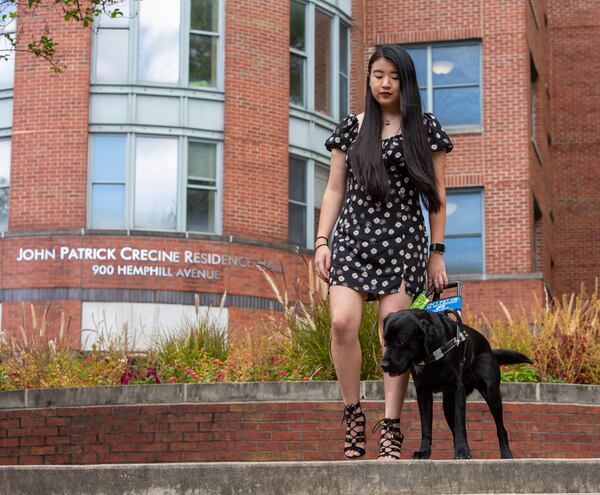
[{"x": 455, "y": 64}]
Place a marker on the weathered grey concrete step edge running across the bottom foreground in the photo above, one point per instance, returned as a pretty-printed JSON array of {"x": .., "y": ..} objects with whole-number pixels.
[{"x": 550, "y": 476}]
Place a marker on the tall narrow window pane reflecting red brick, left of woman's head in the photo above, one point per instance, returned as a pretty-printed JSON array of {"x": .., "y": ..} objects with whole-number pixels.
[{"x": 322, "y": 63}]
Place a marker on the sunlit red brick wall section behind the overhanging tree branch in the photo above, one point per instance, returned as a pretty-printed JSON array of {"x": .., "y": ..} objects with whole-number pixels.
[{"x": 49, "y": 137}]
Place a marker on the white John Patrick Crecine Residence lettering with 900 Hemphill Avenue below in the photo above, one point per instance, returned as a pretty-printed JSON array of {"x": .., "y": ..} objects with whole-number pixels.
[{"x": 129, "y": 261}]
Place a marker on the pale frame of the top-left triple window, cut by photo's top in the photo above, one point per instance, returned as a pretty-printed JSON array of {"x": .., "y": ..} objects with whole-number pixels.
[{"x": 185, "y": 32}]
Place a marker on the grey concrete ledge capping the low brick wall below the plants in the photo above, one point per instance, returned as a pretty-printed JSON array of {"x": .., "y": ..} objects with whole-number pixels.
[{"x": 266, "y": 391}]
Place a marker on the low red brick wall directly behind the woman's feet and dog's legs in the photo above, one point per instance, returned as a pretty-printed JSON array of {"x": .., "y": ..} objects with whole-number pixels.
[{"x": 274, "y": 431}]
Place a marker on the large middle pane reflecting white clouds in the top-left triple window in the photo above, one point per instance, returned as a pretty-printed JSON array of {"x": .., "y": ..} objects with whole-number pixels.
[{"x": 158, "y": 54}]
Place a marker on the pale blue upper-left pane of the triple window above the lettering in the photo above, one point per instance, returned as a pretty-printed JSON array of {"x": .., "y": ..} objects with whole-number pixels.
[{"x": 108, "y": 158}]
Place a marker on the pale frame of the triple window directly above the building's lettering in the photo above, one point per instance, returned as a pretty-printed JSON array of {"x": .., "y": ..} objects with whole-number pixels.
[{"x": 181, "y": 177}]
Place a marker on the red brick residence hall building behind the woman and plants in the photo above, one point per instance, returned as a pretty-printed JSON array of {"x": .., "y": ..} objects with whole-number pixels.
[{"x": 181, "y": 148}]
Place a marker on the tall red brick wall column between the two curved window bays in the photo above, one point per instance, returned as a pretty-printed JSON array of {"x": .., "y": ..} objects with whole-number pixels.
[{"x": 255, "y": 151}]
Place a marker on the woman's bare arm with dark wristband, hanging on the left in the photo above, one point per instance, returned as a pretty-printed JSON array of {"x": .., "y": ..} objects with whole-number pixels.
[{"x": 331, "y": 205}]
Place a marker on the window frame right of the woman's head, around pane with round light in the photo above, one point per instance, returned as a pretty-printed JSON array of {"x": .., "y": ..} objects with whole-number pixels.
[{"x": 429, "y": 88}]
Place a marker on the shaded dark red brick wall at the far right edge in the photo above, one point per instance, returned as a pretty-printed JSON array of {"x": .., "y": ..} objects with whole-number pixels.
[{"x": 575, "y": 166}]
